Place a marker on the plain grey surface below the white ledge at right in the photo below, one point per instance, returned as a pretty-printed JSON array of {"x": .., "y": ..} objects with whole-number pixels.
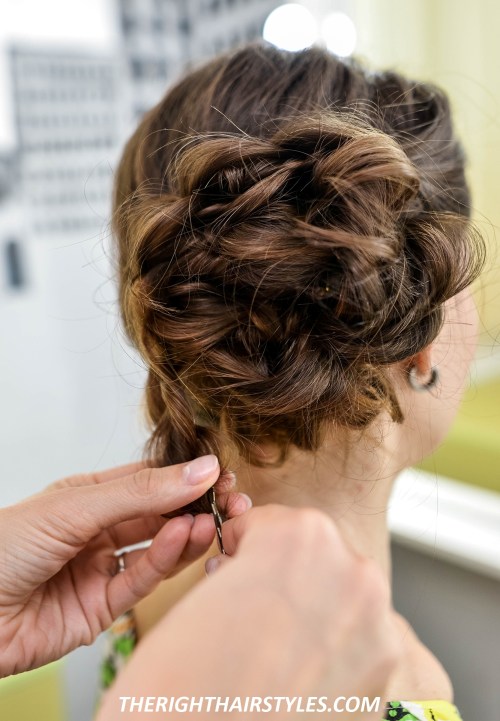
[{"x": 456, "y": 613}]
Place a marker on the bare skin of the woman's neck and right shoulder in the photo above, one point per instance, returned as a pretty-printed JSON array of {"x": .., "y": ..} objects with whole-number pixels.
[{"x": 351, "y": 480}]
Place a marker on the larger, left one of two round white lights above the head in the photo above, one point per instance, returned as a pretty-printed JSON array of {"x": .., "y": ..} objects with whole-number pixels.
[{"x": 291, "y": 27}]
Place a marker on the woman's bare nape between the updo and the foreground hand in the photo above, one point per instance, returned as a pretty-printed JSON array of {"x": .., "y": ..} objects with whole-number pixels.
[{"x": 352, "y": 486}]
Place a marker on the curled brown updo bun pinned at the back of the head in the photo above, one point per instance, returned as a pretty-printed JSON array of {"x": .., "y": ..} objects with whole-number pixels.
[{"x": 276, "y": 279}]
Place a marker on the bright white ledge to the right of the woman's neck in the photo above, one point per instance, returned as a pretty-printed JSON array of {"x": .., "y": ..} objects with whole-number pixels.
[{"x": 448, "y": 520}]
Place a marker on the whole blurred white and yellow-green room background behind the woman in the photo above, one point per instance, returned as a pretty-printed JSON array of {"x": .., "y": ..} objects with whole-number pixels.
[{"x": 75, "y": 76}]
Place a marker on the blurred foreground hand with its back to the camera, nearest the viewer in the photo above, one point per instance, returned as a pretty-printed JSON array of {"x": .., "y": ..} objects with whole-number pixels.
[{"x": 294, "y": 612}]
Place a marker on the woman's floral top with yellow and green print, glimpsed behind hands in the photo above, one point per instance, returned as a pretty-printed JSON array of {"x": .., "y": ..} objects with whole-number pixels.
[{"x": 122, "y": 639}]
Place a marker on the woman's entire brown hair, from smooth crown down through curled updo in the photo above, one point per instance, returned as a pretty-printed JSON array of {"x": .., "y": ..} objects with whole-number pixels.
[{"x": 288, "y": 226}]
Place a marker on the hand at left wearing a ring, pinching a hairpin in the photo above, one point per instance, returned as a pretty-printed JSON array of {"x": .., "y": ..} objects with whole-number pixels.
[{"x": 58, "y": 583}]
